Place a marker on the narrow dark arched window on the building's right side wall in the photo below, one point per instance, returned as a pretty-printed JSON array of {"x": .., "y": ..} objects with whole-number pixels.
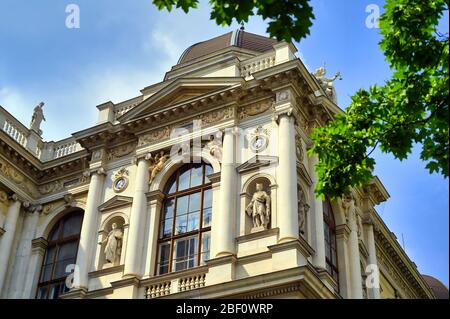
[{"x": 329, "y": 227}]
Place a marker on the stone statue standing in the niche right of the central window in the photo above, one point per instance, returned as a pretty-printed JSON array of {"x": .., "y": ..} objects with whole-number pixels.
[{"x": 259, "y": 209}]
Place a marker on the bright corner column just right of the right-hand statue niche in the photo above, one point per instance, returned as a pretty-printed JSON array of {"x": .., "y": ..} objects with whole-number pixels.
[{"x": 287, "y": 180}]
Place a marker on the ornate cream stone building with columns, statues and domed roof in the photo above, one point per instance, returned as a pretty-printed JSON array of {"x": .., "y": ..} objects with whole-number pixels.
[{"x": 200, "y": 187}]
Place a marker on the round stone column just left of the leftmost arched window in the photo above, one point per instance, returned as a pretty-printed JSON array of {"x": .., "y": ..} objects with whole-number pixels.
[{"x": 24, "y": 251}]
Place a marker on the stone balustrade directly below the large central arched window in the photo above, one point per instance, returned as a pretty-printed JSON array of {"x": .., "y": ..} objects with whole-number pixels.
[{"x": 173, "y": 283}]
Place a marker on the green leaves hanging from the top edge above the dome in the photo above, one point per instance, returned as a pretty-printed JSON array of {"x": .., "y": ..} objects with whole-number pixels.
[{"x": 288, "y": 19}]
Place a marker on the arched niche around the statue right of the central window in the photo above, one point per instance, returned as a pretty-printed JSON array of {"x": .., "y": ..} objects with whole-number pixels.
[{"x": 249, "y": 188}]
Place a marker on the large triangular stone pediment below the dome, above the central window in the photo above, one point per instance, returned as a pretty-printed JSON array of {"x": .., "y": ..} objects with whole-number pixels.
[{"x": 177, "y": 92}]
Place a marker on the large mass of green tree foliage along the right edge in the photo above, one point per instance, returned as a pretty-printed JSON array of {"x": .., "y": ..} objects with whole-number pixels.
[{"x": 411, "y": 107}]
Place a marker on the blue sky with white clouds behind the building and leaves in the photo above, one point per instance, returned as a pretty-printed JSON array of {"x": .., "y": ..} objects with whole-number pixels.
[{"x": 123, "y": 46}]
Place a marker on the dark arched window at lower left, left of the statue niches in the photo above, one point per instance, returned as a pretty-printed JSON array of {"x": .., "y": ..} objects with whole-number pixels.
[{"x": 61, "y": 251}]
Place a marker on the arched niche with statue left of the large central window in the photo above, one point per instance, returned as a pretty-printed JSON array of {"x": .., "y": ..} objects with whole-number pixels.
[{"x": 112, "y": 241}]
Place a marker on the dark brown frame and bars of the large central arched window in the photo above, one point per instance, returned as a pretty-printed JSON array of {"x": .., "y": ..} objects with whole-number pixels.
[{"x": 198, "y": 233}]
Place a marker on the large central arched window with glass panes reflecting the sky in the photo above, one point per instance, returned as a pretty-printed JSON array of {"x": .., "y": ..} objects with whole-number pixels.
[{"x": 185, "y": 226}]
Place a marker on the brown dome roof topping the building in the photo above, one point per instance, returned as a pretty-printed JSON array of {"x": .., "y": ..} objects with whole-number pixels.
[{"x": 238, "y": 38}]
